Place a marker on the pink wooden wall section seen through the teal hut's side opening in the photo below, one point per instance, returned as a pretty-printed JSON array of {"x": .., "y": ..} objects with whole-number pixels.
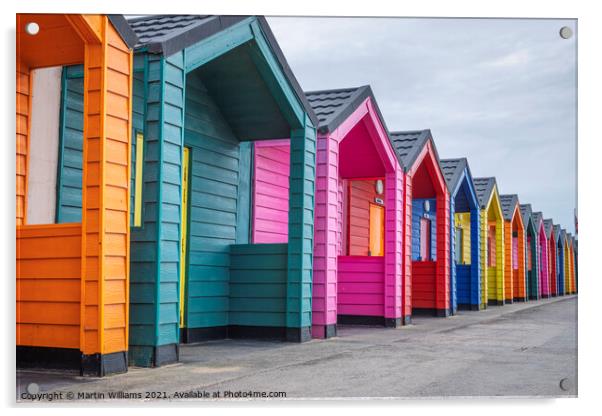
[{"x": 270, "y": 192}]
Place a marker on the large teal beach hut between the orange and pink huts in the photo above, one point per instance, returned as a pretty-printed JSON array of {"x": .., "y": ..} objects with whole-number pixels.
[{"x": 206, "y": 87}]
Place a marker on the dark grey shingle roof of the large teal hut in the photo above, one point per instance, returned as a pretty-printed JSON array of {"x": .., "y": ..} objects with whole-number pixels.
[{"x": 168, "y": 34}]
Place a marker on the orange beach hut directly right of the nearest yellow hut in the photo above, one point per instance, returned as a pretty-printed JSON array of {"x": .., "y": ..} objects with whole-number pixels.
[{"x": 515, "y": 282}]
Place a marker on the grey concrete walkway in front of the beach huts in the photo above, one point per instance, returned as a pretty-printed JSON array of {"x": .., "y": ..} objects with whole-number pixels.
[{"x": 523, "y": 349}]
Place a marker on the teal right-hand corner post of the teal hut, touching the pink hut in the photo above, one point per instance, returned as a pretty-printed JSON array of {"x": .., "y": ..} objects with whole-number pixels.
[{"x": 301, "y": 232}]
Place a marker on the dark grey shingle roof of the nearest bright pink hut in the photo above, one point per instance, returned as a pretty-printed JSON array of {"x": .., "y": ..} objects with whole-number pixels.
[{"x": 333, "y": 107}]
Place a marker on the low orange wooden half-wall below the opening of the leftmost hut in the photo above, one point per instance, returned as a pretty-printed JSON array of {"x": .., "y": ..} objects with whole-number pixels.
[{"x": 48, "y": 291}]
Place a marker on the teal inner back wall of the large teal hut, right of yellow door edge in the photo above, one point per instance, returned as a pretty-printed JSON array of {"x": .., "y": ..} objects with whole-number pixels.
[{"x": 214, "y": 188}]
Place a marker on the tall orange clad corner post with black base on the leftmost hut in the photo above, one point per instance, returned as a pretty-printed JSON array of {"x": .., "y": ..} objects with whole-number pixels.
[{"x": 105, "y": 210}]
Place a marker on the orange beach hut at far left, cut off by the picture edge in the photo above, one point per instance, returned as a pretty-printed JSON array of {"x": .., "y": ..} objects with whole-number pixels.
[{"x": 72, "y": 277}]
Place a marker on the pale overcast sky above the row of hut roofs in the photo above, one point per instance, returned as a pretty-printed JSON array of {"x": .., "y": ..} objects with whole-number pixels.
[{"x": 500, "y": 92}]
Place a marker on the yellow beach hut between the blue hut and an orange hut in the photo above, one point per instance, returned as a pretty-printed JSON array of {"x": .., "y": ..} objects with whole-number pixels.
[{"x": 492, "y": 242}]
